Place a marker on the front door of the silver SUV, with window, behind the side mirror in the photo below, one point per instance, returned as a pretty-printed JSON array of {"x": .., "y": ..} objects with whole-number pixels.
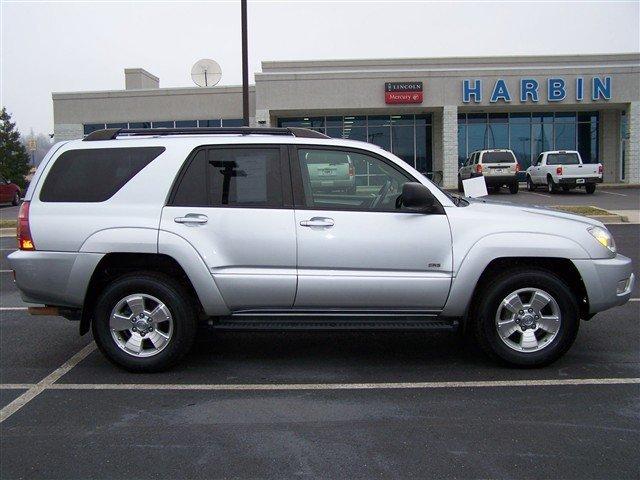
[{"x": 358, "y": 250}]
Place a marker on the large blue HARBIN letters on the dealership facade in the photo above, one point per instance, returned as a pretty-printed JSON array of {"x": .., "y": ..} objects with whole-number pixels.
[{"x": 599, "y": 89}]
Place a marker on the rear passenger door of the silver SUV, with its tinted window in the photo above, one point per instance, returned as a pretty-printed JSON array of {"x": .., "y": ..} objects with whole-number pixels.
[{"x": 234, "y": 205}]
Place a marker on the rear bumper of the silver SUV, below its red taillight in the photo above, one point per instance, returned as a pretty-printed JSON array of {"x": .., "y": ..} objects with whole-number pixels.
[{"x": 53, "y": 278}]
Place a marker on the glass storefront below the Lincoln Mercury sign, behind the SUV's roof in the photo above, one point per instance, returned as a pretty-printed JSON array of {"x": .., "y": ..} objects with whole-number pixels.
[{"x": 407, "y": 136}]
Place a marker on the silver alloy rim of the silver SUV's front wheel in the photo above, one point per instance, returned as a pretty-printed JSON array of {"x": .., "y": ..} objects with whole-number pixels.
[{"x": 528, "y": 320}]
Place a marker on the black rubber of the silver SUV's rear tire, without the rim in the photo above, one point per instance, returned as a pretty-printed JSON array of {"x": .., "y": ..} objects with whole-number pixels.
[{"x": 177, "y": 299}]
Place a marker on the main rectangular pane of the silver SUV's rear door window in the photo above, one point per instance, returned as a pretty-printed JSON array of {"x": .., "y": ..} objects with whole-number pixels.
[{"x": 246, "y": 177}]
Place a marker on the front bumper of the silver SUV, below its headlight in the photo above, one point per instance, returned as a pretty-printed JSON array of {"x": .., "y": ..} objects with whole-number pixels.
[{"x": 609, "y": 282}]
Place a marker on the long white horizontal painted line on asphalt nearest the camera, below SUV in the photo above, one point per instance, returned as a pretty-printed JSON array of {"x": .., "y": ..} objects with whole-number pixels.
[{"x": 344, "y": 386}]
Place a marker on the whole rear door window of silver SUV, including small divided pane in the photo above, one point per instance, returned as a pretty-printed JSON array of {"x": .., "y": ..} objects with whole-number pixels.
[{"x": 232, "y": 177}]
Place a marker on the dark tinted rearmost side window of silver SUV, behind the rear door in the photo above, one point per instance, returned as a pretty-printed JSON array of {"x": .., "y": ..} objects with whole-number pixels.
[{"x": 94, "y": 175}]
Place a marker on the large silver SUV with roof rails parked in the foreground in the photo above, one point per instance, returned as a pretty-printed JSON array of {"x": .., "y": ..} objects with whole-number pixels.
[{"x": 140, "y": 235}]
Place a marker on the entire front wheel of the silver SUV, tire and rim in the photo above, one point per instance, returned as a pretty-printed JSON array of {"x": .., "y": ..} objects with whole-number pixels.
[{"x": 526, "y": 318}]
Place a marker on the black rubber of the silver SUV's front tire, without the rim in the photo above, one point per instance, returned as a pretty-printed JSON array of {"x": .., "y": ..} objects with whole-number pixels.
[{"x": 483, "y": 317}]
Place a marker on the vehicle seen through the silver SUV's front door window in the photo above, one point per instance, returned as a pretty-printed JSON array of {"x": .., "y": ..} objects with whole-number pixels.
[{"x": 333, "y": 171}]
